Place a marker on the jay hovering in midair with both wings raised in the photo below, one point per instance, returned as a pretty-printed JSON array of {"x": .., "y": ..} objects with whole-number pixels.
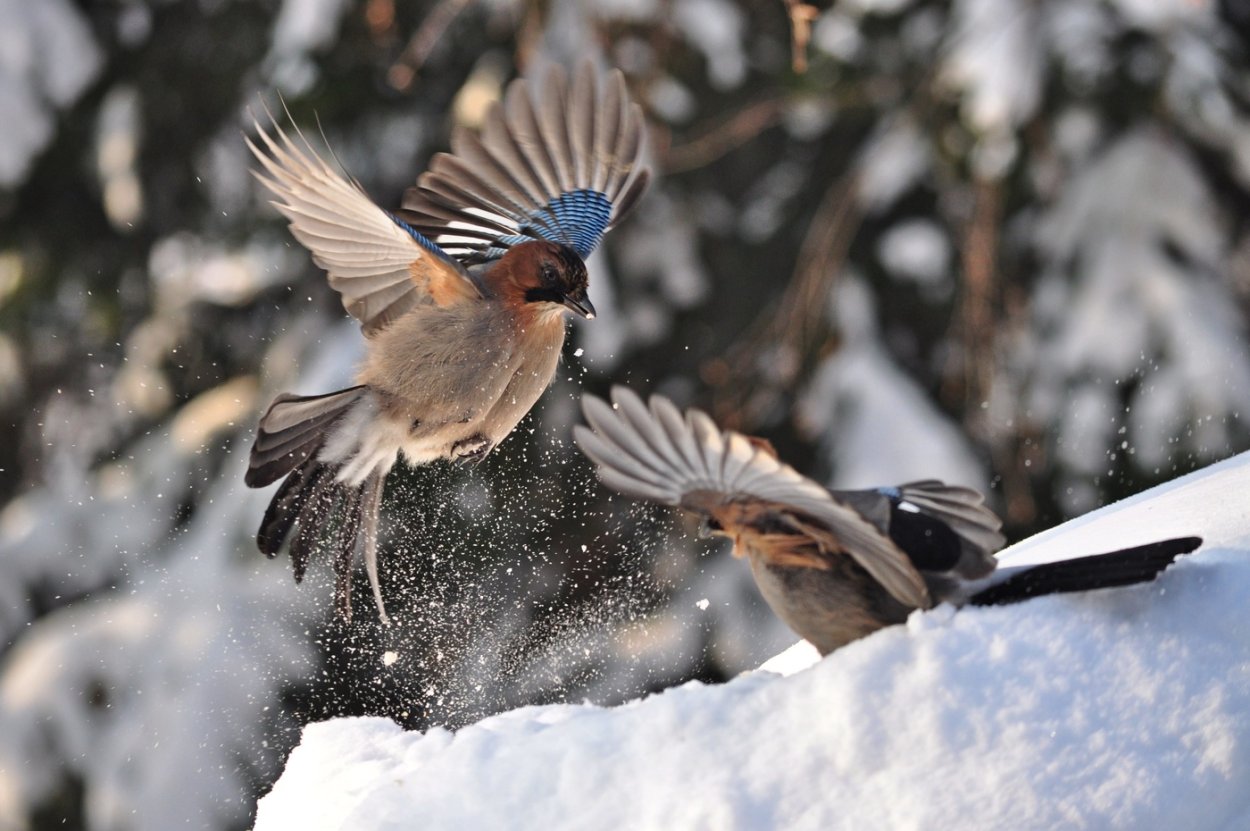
[{"x": 461, "y": 296}]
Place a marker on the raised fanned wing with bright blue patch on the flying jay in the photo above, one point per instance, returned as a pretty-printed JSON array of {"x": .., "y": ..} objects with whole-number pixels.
[{"x": 564, "y": 168}]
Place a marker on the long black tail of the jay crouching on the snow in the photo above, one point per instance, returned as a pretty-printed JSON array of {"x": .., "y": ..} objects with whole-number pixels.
[{"x": 1123, "y": 568}]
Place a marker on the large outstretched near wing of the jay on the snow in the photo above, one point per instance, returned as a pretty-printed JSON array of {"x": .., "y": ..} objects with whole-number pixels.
[{"x": 656, "y": 454}]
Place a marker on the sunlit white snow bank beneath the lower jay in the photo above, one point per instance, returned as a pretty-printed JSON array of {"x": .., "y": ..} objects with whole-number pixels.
[{"x": 1117, "y": 709}]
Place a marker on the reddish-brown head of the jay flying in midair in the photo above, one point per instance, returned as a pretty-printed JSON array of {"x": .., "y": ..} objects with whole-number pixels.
[{"x": 546, "y": 277}]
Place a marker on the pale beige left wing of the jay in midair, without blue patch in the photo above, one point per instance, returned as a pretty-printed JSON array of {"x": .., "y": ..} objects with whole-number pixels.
[{"x": 379, "y": 266}]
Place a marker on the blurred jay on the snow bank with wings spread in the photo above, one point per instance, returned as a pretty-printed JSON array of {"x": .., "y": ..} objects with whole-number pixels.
[{"x": 833, "y": 565}]
